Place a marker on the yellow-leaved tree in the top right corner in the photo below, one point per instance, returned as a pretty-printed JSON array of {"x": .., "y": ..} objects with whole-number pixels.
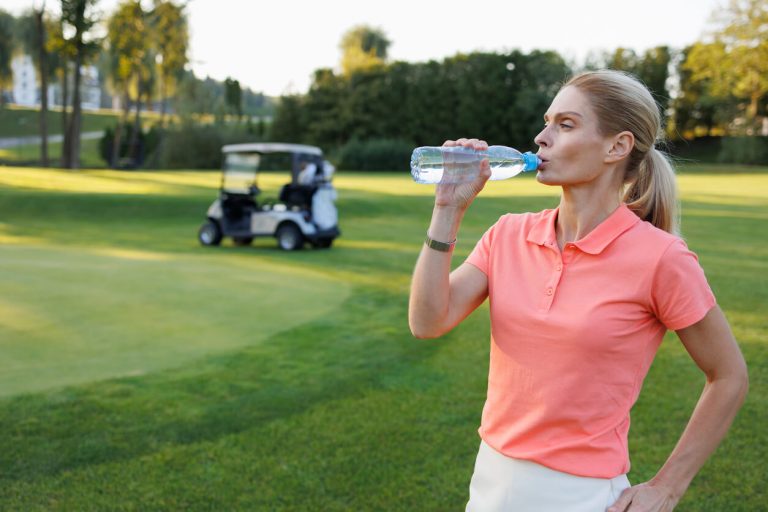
[{"x": 735, "y": 60}]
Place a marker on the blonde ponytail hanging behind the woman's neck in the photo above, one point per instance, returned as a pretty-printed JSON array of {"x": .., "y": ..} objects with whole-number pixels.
[{"x": 652, "y": 195}]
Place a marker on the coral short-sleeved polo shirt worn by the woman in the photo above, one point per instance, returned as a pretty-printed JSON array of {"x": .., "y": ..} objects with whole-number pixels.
[{"x": 573, "y": 333}]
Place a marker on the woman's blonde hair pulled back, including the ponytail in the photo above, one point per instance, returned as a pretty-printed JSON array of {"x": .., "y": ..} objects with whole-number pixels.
[{"x": 623, "y": 103}]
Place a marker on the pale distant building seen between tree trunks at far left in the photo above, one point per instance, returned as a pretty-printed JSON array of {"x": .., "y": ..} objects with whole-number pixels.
[{"x": 26, "y": 89}]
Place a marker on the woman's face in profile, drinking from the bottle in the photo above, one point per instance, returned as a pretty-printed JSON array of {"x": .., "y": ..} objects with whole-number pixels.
[{"x": 571, "y": 147}]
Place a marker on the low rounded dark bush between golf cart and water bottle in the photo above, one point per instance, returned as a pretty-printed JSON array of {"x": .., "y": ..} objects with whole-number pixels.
[{"x": 375, "y": 155}]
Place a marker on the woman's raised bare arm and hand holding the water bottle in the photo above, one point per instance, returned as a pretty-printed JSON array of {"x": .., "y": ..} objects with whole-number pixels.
[{"x": 440, "y": 299}]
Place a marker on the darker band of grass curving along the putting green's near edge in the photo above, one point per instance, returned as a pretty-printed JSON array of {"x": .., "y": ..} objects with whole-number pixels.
[{"x": 365, "y": 345}]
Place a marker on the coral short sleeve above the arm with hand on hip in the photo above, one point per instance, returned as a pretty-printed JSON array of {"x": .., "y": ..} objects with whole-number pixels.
[{"x": 680, "y": 294}]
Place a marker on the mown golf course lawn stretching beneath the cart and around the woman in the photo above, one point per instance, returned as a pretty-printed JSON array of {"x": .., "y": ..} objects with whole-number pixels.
[{"x": 143, "y": 372}]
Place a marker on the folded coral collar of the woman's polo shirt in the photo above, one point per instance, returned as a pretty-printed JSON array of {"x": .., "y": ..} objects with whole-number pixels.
[{"x": 622, "y": 218}]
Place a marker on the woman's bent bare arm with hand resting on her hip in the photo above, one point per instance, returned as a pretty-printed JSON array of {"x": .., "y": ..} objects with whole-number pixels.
[{"x": 713, "y": 348}]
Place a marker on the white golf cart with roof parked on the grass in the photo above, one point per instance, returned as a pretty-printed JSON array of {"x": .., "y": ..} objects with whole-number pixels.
[{"x": 304, "y": 211}]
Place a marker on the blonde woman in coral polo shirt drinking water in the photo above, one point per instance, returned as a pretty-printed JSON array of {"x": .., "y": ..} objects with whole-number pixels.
[{"x": 580, "y": 298}]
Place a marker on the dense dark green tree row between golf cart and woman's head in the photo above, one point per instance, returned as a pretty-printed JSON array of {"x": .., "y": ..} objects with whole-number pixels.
[{"x": 500, "y": 97}]
